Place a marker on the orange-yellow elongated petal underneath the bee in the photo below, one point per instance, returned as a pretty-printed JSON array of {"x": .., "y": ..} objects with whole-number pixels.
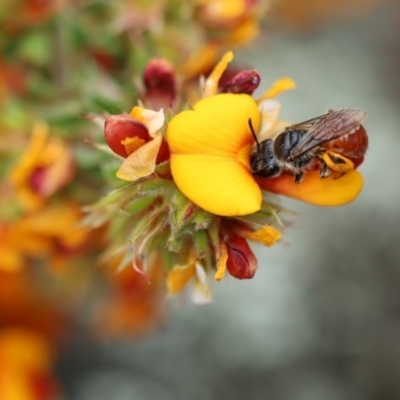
[{"x": 330, "y": 192}]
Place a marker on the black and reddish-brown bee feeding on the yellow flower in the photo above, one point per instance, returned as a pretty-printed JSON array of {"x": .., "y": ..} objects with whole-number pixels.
[{"x": 334, "y": 141}]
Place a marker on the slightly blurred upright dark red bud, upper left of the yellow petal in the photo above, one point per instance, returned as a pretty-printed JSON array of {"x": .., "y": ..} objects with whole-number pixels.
[{"x": 160, "y": 82}]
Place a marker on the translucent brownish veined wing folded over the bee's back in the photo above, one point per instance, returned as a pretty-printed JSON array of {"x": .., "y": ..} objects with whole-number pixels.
[{"x": 330, "y": 126}]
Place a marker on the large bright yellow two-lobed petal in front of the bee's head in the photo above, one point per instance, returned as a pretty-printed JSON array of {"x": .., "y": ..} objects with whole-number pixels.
[{"x": 210, "y": 154}]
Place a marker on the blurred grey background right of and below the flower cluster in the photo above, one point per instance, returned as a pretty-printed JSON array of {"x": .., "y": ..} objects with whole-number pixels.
[{"x": 321, "y": 318}]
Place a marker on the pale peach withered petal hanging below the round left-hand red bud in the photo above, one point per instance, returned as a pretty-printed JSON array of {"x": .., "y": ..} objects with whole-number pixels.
[{"x": 141, "y": 162}]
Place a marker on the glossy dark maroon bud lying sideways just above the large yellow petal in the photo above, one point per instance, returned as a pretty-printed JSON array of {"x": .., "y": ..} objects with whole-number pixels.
[{"x": 240, "y": 82}]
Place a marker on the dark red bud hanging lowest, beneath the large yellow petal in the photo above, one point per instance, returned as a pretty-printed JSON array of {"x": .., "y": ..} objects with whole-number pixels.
[{"x": 241, "y": 263}]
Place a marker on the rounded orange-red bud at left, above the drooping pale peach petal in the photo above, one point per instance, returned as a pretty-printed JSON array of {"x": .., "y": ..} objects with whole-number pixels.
[{"x": 119, "y": 127}]
